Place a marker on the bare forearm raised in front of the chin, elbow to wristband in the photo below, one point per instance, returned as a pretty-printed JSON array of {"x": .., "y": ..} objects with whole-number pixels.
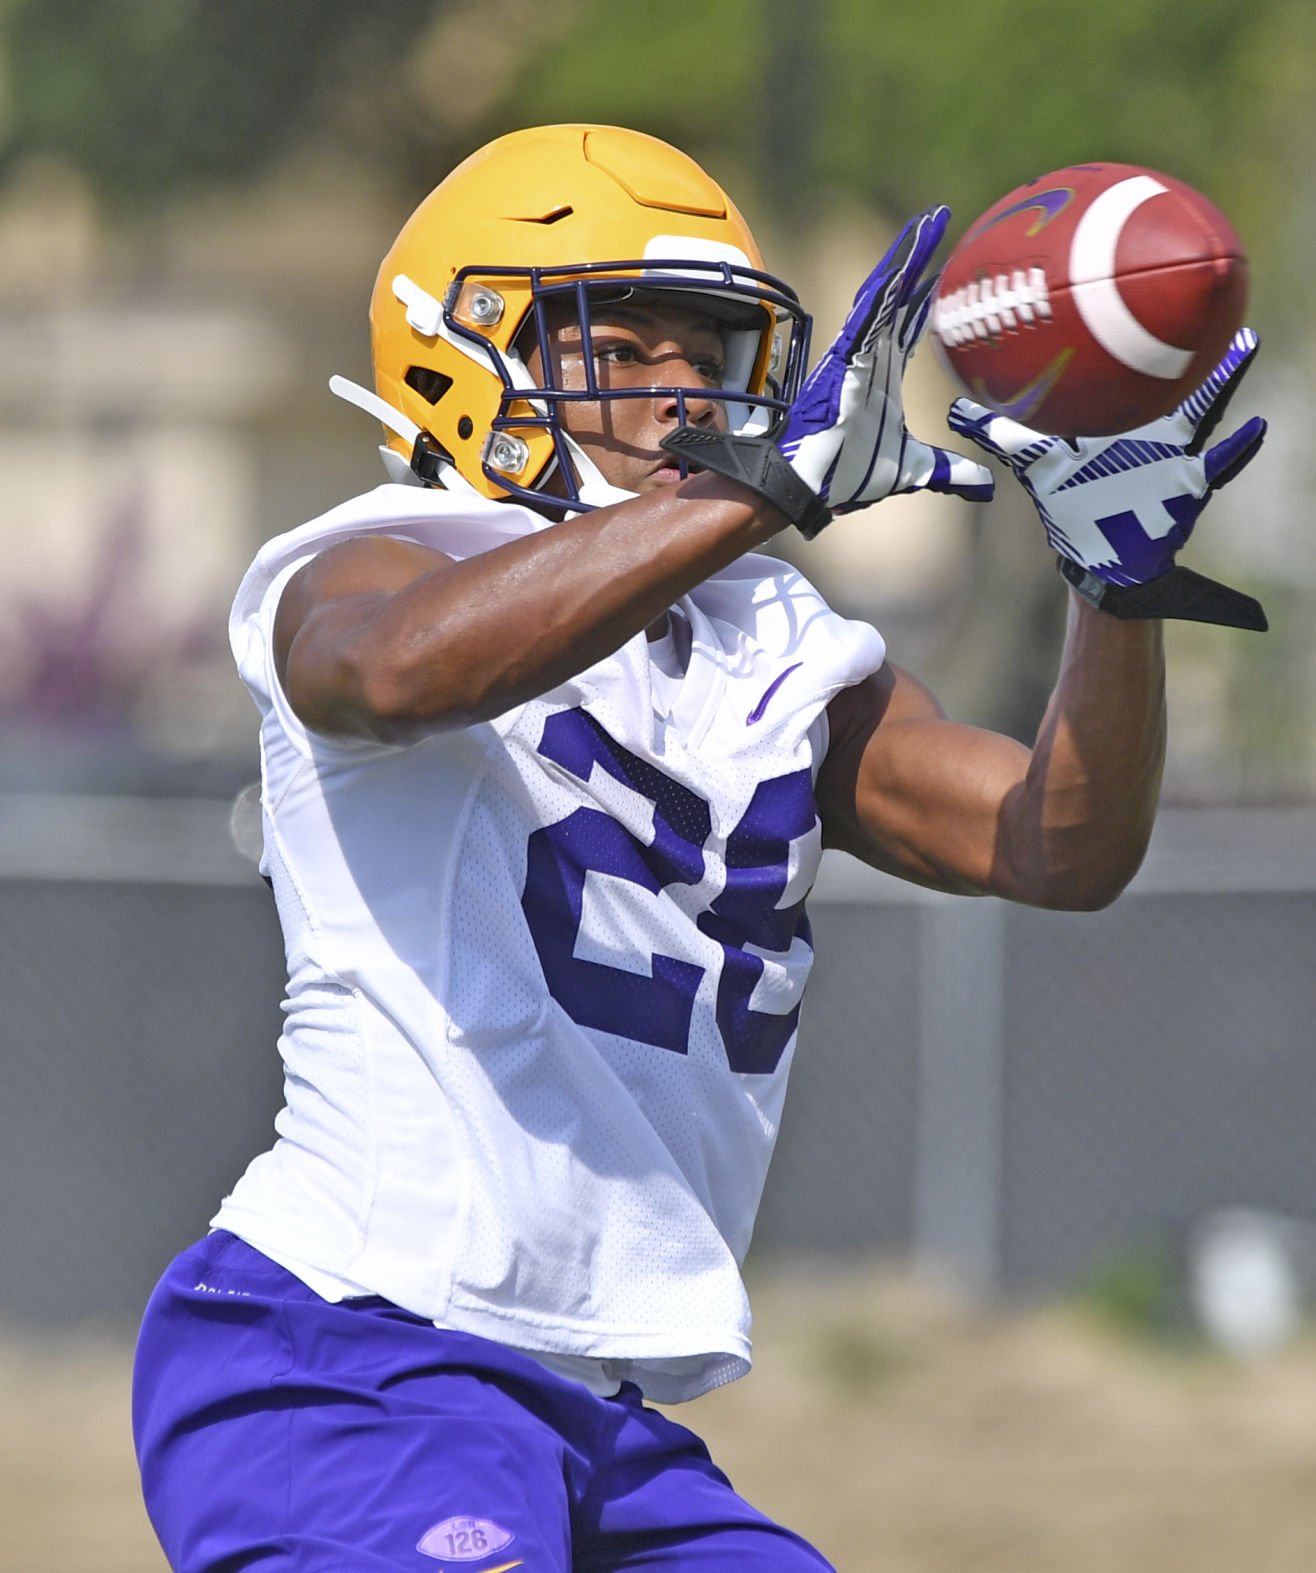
[{"x": 498, "y": 630}]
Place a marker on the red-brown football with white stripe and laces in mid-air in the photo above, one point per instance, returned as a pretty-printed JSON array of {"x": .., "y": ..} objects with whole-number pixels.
[{"x": 1090, "y": 301}]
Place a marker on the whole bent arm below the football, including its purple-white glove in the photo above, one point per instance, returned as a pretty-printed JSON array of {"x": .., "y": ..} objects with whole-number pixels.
[{"x": 1065, "y": 823}]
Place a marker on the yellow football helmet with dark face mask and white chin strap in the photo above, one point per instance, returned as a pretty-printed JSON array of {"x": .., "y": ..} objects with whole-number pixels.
[{"x": 583, "y": 213}]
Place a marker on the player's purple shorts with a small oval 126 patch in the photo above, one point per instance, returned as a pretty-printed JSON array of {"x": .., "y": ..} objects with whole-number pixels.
[{"x": 281, "y": 1432}]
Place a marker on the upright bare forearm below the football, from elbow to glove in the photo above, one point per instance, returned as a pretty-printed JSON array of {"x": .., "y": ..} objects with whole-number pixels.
[{"x": 1076, "y": 830}]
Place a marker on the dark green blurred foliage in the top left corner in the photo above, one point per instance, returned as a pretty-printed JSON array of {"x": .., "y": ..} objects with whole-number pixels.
[{"x": 152, "y": 98}]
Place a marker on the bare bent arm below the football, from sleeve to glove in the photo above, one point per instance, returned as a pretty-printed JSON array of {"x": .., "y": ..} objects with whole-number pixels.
[{"x": 1061, "y": 825}]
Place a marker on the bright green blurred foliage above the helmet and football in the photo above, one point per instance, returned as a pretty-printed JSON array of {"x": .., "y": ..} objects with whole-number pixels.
[{"x": 955, "y": 101}]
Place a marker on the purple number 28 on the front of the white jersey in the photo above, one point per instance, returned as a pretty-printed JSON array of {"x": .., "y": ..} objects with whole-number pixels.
[{"x": 744, "y": 919}]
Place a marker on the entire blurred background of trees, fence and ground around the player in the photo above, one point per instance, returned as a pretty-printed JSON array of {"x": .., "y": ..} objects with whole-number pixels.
[{"x": 1037, "y": 1256}]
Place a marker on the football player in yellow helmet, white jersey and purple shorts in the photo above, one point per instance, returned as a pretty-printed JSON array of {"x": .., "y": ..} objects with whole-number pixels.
[{"x": 550, "y": 757}]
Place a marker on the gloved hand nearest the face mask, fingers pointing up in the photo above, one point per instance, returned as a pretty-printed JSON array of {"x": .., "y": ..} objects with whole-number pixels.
[{"x": 845, "y": 437}]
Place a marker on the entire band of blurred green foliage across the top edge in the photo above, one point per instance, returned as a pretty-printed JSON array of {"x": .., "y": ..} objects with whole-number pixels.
[{"x": 889, "y": 103}]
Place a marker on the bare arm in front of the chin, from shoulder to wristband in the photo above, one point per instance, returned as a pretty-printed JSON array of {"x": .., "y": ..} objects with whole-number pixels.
[{"x": 388, "y": 641}]
